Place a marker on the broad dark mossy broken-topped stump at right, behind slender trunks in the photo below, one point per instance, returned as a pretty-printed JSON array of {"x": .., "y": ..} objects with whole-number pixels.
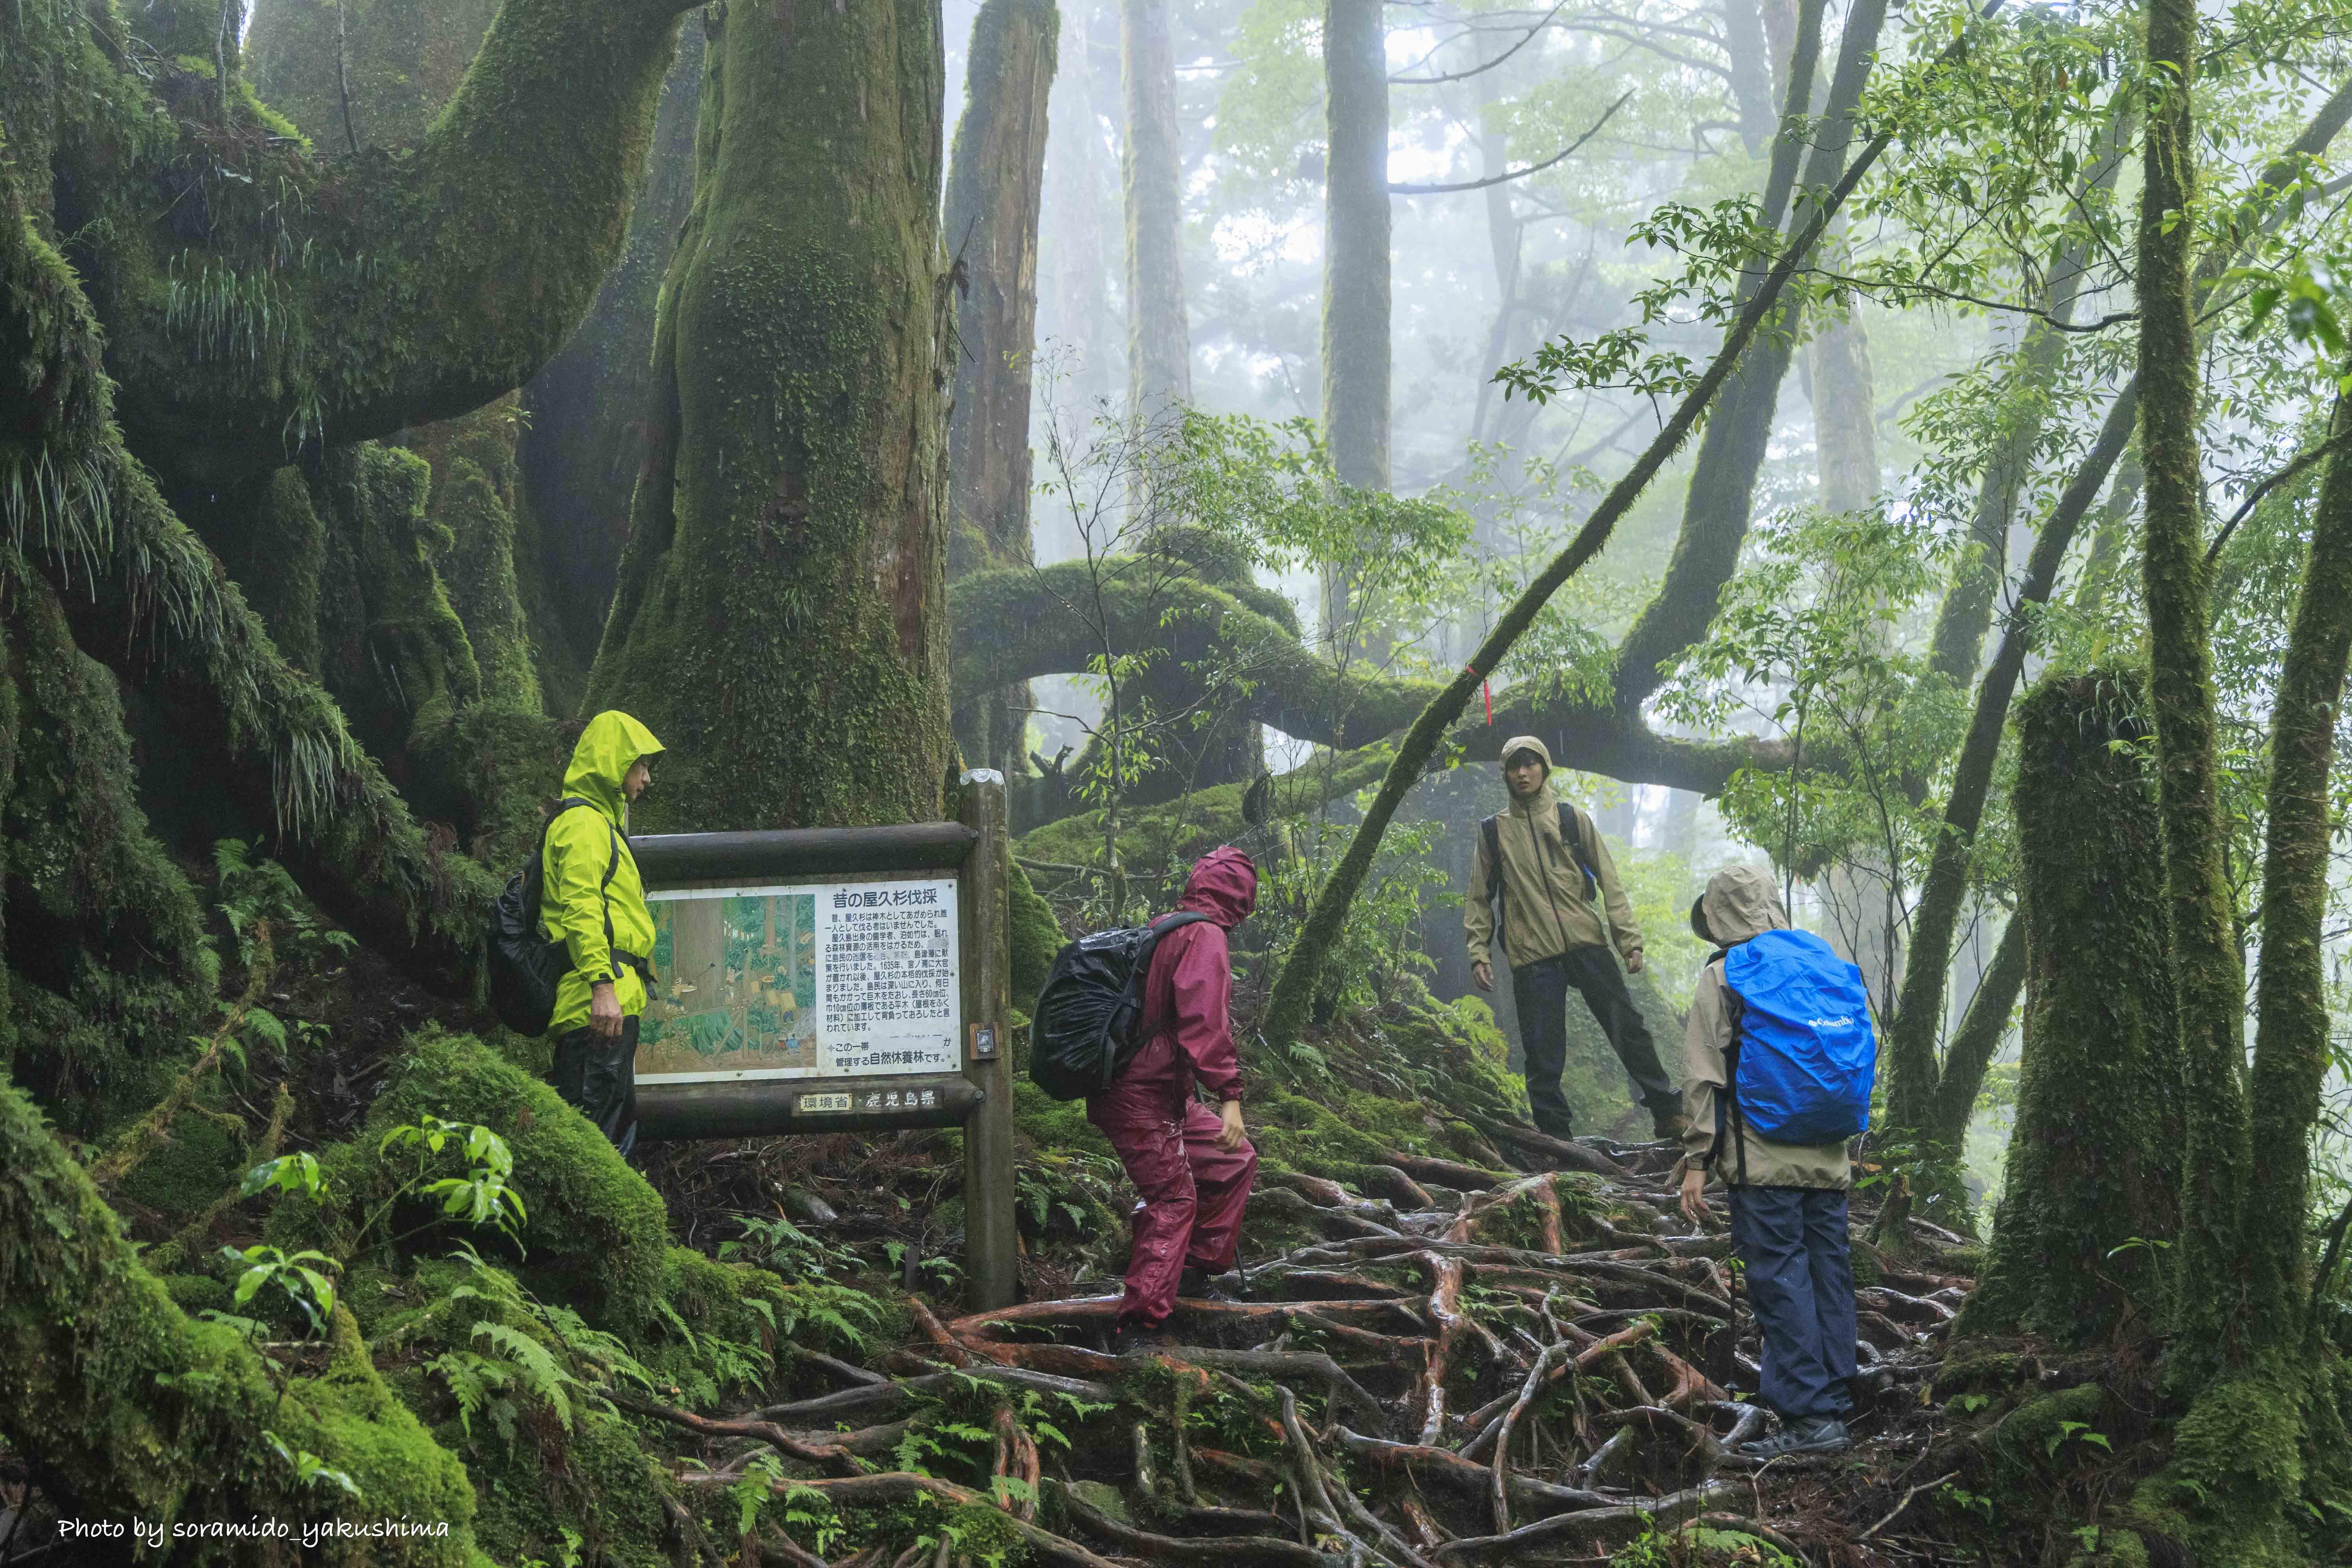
[{"x": 2094, "y": 1158}]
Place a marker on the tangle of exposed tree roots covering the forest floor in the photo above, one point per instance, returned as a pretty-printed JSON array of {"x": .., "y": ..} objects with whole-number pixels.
[{"x": 1478, "y": 1383}]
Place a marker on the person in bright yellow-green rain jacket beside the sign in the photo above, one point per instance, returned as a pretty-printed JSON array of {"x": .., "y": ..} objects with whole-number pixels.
[{"x": 594, "y": 906}]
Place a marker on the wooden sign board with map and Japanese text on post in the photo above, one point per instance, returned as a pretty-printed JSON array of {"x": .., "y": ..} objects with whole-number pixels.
[{"x": 841, "y": 981}]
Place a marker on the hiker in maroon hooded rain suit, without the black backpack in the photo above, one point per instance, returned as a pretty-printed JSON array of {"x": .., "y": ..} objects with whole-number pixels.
[{"x": 1191, "y": 1165}]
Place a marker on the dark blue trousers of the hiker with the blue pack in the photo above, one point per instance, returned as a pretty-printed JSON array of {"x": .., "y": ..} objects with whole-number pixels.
[{"x": 1800, "y": 1282}]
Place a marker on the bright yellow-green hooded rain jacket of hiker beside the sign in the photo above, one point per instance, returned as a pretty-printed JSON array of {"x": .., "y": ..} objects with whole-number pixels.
[{"x": 582, "y": 845}]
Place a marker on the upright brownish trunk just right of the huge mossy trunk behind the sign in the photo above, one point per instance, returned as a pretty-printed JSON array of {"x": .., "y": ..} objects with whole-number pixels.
[{"x": 996, "y": 189}]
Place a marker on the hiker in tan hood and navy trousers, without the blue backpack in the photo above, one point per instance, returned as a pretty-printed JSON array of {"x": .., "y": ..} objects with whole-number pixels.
[{"x": 1789, "y": 1202}]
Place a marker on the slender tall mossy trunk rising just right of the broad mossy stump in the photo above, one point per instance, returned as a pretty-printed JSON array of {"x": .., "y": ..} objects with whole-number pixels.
[{"x": 2181, "y": 692}]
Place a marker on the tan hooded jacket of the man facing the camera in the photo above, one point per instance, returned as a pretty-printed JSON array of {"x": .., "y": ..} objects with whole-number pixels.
[{"x": 1544, "y": 894}]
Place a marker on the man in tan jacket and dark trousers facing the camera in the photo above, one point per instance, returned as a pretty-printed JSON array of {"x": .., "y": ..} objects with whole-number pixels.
[{"x": 1544, "y": 871}]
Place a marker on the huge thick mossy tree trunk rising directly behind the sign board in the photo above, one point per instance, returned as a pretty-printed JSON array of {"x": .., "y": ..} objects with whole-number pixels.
[{"x": 780, "y": 617}]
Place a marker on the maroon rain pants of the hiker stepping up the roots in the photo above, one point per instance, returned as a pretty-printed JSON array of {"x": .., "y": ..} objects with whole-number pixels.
[{"x": 1194, "y": 1195}]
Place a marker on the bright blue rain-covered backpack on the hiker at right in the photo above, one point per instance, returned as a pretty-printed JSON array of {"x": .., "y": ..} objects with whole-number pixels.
[{"x": 1808, "y": 1052}]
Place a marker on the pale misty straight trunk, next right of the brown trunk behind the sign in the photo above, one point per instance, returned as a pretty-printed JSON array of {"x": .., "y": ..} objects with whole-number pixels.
[{"x": 1151, "y": 168}]
